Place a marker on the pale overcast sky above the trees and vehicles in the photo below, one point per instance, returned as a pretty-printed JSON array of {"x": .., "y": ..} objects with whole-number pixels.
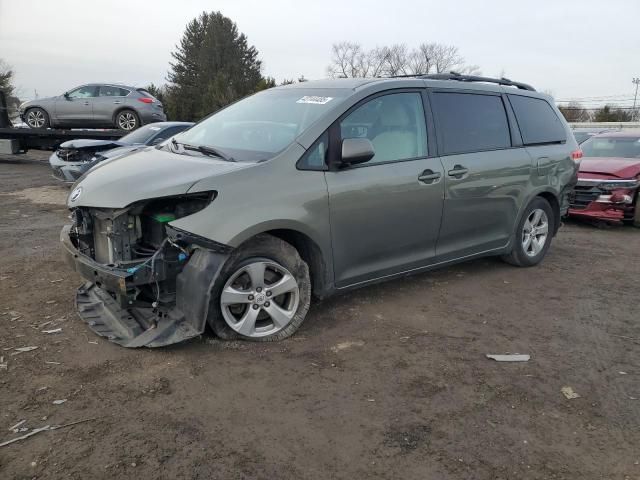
[{"x": 572, "y": 48}]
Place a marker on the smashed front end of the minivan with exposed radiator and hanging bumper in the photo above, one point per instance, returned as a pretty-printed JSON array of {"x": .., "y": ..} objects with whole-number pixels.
[{"x": 147, "y": 283}]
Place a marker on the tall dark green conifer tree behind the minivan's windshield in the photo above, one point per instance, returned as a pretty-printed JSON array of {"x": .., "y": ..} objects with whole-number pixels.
[{"x": 214, "y": 66}]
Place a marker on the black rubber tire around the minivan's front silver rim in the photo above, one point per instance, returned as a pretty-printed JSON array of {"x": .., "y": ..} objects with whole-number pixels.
[{"x": 262, "y": 248}]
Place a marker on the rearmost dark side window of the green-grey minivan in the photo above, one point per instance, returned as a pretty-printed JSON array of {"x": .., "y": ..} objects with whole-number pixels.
[{"x": 537, "y": 120}]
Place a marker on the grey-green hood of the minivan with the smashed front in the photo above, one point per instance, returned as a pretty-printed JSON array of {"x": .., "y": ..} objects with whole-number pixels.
[{"x": 143, "y": 174}]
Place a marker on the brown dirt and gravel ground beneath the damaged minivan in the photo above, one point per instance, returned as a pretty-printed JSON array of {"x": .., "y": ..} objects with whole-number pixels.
[{"x": 387, "y": 382}]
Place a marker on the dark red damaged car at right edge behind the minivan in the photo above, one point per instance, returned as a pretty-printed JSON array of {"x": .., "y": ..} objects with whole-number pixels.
[{"x": 608, "y": 178}]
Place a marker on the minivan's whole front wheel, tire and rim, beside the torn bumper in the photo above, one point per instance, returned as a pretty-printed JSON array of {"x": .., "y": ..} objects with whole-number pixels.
[{"x": 263, "y": 292}]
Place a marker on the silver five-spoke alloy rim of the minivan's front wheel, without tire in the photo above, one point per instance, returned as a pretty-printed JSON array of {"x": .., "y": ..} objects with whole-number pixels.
[{"x": 260, "y": 299}]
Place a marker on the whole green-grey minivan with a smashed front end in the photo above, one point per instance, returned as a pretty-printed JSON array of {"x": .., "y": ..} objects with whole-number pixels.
[{"x": 312, "y": 189}]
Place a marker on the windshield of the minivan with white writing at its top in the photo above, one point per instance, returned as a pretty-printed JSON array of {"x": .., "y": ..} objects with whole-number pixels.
[{"x": 262, "y": 125}]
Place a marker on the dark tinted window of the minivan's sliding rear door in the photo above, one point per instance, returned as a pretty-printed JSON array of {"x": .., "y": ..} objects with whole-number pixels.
[{"x": 470, "y": 122}]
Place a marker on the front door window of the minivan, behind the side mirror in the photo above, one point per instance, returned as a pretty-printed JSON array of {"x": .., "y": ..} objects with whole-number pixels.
[{"x": 394, "y": 123}]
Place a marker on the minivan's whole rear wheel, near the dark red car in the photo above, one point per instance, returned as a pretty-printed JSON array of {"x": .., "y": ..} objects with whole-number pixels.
[{"x": 533, "y": 234}]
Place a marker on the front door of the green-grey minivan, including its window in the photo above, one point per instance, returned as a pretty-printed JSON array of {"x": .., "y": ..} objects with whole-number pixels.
[{"x": 385, "y": 213}]
